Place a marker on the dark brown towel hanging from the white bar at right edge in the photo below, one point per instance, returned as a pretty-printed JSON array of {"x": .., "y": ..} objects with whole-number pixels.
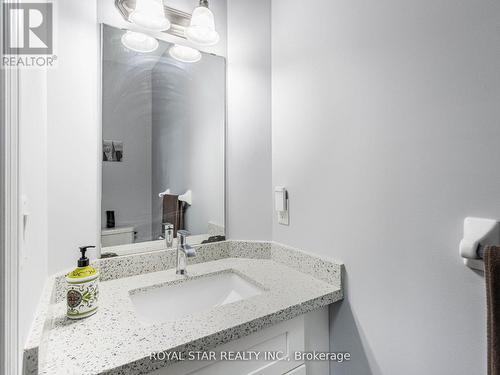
[{"x": 492, "y": 276}]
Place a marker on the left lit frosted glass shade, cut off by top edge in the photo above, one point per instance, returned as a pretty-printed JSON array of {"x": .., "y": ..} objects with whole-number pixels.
[{"x": 150, "y": 15}]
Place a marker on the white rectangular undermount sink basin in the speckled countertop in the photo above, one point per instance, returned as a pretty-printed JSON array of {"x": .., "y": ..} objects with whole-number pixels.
[{"x": 172, "y": 302}]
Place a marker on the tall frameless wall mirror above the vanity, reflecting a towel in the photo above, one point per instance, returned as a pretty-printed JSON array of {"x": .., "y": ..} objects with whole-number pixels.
[{"x": 163, "y": 131}]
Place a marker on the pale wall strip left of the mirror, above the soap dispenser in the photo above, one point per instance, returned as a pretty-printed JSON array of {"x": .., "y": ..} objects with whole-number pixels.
[{"x": 73, "y": 134}]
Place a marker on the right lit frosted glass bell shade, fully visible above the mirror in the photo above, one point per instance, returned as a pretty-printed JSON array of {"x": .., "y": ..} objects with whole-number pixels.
[{"x": 202, "y": 27}]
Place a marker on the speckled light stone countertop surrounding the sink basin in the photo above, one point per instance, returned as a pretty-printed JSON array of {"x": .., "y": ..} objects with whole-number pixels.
[{"x": 116, "y": 341}]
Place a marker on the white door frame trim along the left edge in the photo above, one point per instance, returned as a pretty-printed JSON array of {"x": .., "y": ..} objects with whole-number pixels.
[{"x": 9, "y": 216}]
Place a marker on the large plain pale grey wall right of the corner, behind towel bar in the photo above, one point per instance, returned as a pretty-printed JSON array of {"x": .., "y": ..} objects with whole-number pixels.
[{"x": 385, "y": 131}]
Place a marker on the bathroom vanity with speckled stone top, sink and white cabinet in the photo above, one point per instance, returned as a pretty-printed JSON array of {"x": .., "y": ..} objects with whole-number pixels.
[{"x": 237, "y": 297}]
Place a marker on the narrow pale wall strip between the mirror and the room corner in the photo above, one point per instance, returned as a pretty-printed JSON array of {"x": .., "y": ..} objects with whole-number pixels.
[{"x": 249, "y": 192}]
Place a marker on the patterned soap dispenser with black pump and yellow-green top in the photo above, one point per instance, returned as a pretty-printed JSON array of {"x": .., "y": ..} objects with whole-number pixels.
[{"x": 82, "y": 288}]
